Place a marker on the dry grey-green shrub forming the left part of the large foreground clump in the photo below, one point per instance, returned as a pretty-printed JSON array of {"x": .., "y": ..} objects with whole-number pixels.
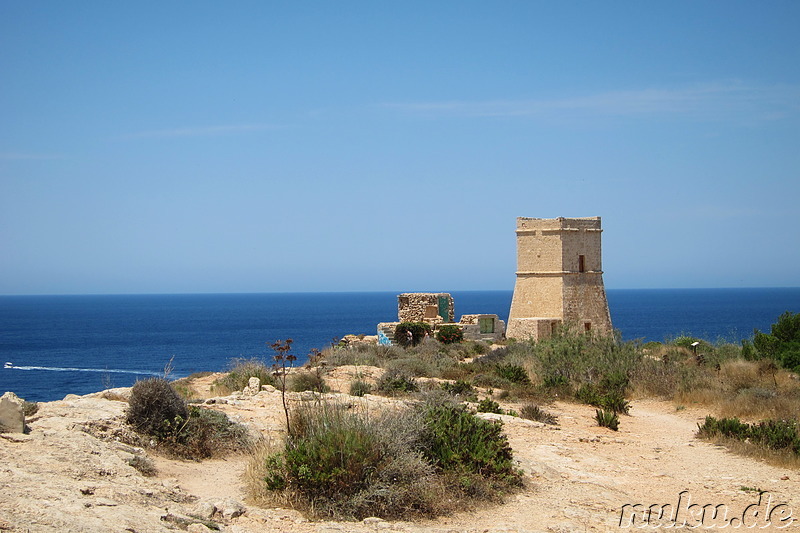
[{"x": 338, "y": 463}]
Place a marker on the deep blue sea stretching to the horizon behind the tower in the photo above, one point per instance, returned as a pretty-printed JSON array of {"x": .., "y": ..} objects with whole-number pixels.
[{"x": 81, "y": 344}]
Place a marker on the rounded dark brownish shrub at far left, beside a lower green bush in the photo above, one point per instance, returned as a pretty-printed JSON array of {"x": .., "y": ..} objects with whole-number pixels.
[{"x": 155, "y": 408}]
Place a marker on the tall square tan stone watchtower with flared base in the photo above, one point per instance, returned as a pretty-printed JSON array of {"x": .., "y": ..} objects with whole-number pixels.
[{"x": 559, "y": 278}]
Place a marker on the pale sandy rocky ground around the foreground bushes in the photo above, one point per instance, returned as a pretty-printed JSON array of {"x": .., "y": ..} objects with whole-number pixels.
[{"x": 72, "y": 473}]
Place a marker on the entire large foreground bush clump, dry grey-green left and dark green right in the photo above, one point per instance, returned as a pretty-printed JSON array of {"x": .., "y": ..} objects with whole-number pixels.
[{"x": 421, "y": 462}]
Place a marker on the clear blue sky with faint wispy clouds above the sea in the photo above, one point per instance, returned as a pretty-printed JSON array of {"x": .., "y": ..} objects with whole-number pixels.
[{"x": 160, "y": 147}]
